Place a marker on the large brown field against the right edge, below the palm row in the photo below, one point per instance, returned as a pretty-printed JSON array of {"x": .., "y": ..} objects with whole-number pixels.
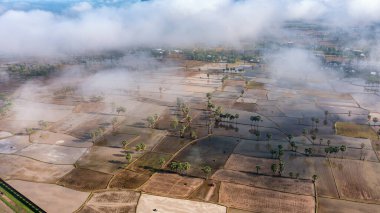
[{"x": 357, "y": 180}]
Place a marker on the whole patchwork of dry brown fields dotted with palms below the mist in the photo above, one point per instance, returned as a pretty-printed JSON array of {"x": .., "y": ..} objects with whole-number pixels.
[{"x": 81, "y": 153}]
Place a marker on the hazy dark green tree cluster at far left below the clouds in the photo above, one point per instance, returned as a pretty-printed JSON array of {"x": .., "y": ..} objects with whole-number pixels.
[{"x": 33, "y": 69}]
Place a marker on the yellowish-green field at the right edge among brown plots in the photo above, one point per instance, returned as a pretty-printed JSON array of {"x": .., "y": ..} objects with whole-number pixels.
[{"x": 355, "y": 130}]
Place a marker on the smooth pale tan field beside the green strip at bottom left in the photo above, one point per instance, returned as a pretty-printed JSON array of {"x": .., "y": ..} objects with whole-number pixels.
[{"x": 50, "y": 197}]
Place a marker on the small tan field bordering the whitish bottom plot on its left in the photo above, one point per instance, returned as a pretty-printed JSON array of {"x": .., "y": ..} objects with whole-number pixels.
[{"x": 112, "y": 201}]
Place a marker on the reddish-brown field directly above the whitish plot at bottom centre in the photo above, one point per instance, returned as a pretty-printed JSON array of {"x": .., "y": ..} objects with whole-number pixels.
[{"x": 171, "y": 185}]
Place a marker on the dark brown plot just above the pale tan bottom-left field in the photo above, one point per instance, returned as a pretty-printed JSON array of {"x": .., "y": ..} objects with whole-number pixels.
[{"x": 85, "y": 180}]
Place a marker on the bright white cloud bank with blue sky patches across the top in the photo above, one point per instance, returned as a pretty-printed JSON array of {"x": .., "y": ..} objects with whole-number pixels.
[{"x": 46, "y": 28}]
